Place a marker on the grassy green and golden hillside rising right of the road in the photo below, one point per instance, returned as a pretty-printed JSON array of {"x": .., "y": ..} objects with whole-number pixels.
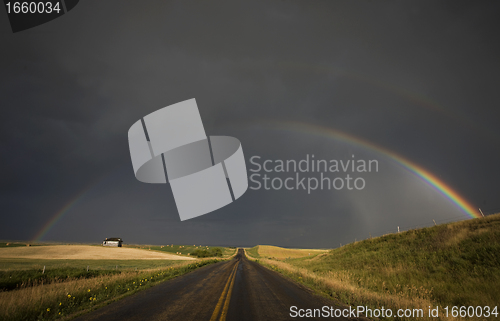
[{"x": 454, "y": 264}]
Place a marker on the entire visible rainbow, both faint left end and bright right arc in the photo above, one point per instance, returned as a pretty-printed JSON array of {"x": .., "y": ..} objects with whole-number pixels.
[{"x": 323, "y": 131}]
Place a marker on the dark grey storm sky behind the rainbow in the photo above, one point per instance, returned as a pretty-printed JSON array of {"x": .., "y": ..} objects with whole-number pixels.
[{"x": 417, "y": 78}]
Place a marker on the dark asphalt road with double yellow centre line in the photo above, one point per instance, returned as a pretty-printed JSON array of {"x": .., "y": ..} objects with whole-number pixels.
[{"x": 238, "y": 289}]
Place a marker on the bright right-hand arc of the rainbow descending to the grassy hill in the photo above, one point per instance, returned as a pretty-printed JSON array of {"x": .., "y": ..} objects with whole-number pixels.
[{"x": 419, "y": 171}]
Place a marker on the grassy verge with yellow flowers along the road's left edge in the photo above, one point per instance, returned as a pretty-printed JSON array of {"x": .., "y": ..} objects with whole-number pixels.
[{"x": 65, "y": 298}]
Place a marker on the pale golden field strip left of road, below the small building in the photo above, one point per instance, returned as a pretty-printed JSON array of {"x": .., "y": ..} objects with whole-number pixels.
[{"x": 85, "y": 252}]
